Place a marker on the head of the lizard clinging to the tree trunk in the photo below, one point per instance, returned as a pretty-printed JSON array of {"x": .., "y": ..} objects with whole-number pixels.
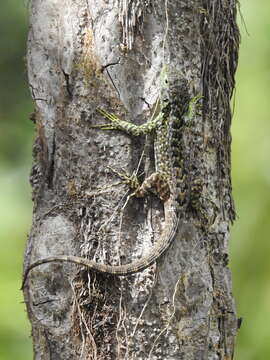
[{"x": 174, "y": 90}]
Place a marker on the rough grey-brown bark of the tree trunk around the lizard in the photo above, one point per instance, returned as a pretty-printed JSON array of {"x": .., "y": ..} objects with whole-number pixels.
[{"x": 108, "y": 54}]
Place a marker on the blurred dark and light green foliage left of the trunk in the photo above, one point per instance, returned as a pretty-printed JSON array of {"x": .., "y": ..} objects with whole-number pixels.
[{"x": 16, "y": 133}]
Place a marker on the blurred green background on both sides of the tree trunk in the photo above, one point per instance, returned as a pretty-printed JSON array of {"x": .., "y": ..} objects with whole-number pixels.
[{"x": 250, "y": 245}]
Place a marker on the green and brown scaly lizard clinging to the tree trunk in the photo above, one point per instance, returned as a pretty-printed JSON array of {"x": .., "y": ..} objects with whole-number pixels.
[{"x": 168, "y": 178}]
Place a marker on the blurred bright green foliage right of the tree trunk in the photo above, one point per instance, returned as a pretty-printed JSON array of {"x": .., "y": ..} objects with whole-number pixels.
[{"x": 250, "y": 244}]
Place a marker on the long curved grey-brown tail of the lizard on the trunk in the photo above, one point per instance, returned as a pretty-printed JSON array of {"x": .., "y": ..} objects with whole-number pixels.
[{"x": 171, "y": 225}]
